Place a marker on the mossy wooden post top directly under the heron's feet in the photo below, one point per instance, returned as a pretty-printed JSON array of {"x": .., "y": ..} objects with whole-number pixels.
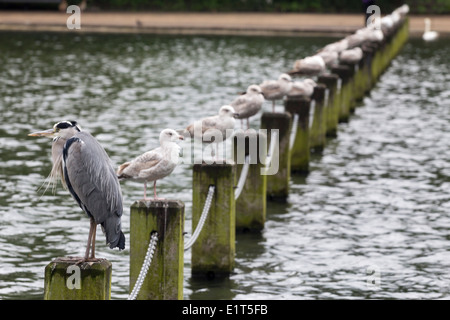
[{"x": 66, "y": 279}]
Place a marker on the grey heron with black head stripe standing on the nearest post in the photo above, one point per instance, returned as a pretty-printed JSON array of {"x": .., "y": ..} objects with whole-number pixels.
[{"x": 86, "y": 171}]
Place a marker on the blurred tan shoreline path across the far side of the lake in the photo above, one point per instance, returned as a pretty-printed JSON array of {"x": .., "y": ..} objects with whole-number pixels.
[{"x": 204, "y": 23}]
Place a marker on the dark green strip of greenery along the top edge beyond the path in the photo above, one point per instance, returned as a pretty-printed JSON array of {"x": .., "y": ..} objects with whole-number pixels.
[{"x": 319, "y": 6}]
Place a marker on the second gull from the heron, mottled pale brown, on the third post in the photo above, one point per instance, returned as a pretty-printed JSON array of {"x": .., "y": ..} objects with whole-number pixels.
[{"x": 214, "y": 128}]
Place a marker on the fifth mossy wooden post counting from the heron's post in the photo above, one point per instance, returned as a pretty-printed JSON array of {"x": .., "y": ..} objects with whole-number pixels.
[{"x": 278, "y": 183}]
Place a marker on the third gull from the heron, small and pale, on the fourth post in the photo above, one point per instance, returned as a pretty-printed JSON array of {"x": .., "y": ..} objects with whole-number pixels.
[{"x": 249, "y": 103}]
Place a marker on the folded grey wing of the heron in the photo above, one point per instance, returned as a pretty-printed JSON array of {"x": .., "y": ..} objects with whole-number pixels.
[{"x": 93, "y": 183}]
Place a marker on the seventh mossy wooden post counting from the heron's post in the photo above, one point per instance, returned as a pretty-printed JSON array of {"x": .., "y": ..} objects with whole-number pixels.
[{"x": 318, "y": 130}]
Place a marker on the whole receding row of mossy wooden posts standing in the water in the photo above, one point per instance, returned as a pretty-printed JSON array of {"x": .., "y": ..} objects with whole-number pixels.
[{"x": 335, "y": 96}]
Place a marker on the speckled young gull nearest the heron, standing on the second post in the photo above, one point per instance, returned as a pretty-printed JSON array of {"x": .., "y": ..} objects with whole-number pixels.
[{"x": 155, "y": 164}]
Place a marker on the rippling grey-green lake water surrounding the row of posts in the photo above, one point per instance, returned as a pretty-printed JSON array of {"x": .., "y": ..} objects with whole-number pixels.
[{"x": 369, "y": 221}]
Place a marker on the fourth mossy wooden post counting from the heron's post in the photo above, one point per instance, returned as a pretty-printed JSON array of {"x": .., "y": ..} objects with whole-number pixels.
[{"x": 251, "y": 203}]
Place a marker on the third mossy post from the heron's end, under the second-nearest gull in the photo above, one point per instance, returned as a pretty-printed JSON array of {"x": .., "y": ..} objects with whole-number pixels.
[{"x": 213, "y": 251}]
